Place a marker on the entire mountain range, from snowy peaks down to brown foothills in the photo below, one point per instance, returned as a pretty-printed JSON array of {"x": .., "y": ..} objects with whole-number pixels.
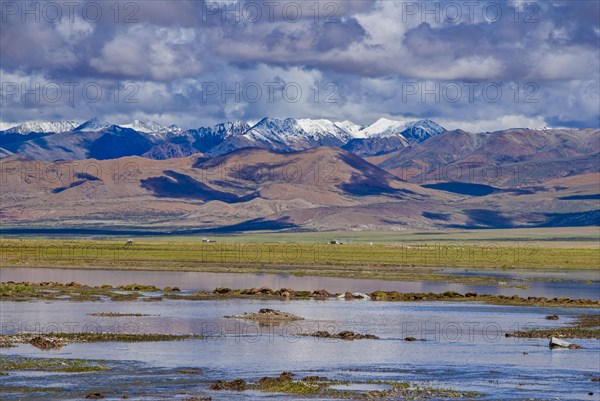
[{"x": 294, "y": 174}]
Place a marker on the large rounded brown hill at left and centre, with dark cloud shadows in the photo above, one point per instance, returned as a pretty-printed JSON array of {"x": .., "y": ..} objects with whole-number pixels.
[{"x": 197, "y": 193}]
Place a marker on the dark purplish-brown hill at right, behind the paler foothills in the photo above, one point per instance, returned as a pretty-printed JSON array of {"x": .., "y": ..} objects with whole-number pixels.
[{"x": 510, "y": 158}]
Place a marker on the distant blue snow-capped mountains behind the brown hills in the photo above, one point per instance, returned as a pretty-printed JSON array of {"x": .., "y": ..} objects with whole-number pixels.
[{"x": 67, "y": 140}]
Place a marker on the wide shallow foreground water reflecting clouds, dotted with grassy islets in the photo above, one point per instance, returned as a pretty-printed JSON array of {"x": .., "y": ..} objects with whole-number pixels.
[{"x": 464, "y": 348}]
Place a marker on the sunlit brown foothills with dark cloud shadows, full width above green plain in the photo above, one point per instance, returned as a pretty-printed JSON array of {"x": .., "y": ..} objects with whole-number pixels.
[{"x": 255, "y": 189}]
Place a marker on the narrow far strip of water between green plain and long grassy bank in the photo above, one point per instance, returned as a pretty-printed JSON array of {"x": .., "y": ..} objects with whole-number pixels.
[{"x": 576, "y": 289}]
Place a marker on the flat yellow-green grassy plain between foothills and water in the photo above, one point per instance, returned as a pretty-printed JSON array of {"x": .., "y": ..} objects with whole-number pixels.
[{"x": 402, "y": 255}]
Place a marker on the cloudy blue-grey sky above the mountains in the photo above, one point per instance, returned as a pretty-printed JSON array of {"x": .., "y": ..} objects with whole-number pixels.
[{"x": 474, "y": 65}]
